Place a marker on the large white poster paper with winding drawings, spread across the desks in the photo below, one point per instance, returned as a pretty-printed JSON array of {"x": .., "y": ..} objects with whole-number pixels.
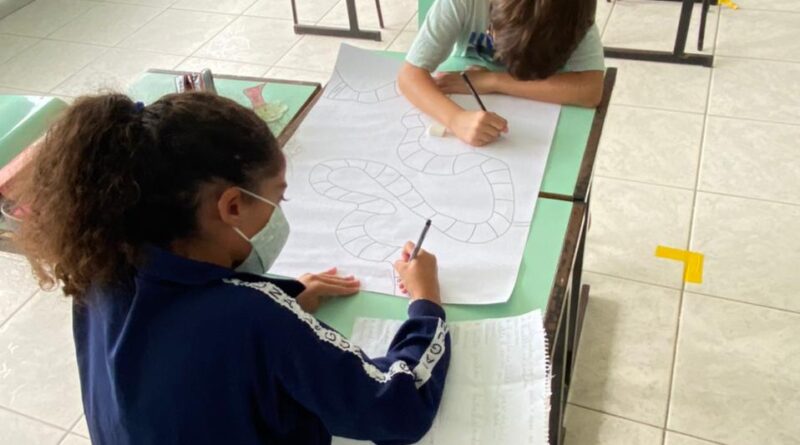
[{"x": 364, "y": 176}]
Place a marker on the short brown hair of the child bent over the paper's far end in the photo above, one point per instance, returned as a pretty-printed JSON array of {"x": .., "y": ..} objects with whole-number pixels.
[{"x": 535, "y": 38}]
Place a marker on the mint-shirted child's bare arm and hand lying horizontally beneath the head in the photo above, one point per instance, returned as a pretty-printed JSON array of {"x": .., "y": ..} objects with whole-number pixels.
[{"x": 584, "y": 88}]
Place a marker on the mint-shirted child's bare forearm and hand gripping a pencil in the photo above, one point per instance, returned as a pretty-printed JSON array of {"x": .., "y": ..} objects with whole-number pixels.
[{"x": 473, "y": 127}]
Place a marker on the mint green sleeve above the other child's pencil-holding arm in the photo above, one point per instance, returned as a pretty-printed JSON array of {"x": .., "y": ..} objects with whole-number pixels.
[{"x": 438, "y": 34}]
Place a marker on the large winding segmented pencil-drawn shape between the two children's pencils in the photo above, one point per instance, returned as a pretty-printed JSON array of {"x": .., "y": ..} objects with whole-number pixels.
[{"x": 352, "y": 233}]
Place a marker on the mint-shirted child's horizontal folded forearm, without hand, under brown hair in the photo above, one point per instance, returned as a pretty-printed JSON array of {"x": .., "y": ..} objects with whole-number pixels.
[{"x": 584, "y": 89}]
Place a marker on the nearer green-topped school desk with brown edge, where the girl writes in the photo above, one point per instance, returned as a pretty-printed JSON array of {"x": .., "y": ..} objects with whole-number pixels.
[{"x": 544, "y": 282}]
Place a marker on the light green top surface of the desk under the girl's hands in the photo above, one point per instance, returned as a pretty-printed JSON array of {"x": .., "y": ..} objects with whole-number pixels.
[{"x": 534, "y": 283}]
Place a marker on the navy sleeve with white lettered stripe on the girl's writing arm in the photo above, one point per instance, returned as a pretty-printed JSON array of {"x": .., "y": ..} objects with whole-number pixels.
[{"x": 389, "y": 400}]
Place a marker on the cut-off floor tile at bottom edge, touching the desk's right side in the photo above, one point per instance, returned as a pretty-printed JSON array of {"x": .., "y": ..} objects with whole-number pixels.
[{"x": 588, "y": 427}]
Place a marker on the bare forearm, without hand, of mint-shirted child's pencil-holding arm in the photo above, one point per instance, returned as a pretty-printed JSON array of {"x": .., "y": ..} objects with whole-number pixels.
[{"x": 419, "y": 88}]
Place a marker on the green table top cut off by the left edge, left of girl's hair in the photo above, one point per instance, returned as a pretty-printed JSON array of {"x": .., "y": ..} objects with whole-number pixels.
[{"x": 23, "y": 119}]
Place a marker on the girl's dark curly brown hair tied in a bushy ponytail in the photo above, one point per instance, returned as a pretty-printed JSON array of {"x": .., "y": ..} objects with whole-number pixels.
[{"x": 113, "y": 176}]
